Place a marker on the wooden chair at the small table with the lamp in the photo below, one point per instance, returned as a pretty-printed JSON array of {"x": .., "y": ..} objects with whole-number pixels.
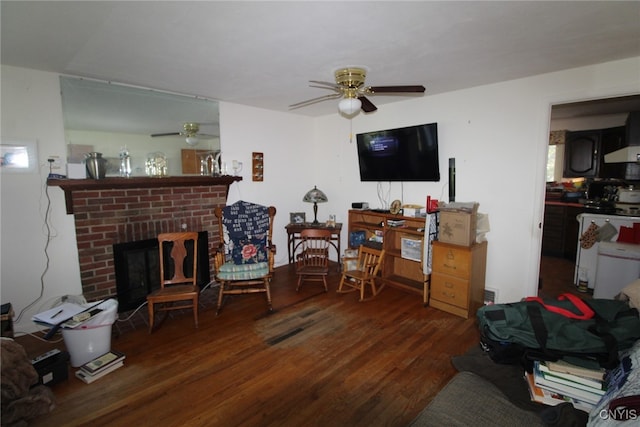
[{"x": 312, "y": 264}]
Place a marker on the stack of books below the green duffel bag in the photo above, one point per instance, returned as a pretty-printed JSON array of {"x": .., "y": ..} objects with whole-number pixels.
[{"x": 552, "y": 383}]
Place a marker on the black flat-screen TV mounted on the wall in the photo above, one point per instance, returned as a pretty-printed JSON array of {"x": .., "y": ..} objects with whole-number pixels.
[{"x": 403, "y": 154}]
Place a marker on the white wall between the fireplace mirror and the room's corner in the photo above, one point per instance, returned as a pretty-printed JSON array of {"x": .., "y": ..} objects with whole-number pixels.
[{"x": 287, "y": 144}]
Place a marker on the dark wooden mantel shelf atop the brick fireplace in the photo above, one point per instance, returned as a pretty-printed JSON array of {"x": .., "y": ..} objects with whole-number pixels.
[{"x": 71, "y": 185}]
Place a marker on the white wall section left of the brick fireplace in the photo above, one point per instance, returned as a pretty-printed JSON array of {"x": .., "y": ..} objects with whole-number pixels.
[{"x": 31, "y": 110}]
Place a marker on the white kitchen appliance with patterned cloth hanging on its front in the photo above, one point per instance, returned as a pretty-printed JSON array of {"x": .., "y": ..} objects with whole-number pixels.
[{"x": 588, "y": 258}]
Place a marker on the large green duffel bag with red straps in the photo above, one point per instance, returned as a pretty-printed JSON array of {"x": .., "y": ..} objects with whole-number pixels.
[{"x": 553, "y": 329}]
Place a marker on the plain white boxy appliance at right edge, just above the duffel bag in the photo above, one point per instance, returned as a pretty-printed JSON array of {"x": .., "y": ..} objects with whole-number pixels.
[{"x": 618, "y": 266}]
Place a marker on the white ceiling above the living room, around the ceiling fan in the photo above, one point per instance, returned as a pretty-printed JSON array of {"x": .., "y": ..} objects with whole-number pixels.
[{"x": 263, "y": 53}]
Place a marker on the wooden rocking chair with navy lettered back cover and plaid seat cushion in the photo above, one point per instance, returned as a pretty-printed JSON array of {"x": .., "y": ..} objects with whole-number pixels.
[{"x": 244, "y": 261}]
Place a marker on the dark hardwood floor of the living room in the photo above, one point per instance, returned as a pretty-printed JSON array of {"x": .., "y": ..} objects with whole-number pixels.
[{"x": 320, "y": 359}]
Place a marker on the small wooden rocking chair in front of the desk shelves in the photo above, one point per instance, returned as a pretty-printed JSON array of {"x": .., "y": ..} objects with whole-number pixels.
[{"x": 367, "y": 267}]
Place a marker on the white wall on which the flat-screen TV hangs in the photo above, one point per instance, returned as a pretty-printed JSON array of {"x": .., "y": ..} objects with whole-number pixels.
[{"x": 498, "y": 135}]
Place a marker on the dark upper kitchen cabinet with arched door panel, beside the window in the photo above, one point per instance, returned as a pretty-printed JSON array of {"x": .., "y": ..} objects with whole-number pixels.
[{"x": 582, "y": 151}]
